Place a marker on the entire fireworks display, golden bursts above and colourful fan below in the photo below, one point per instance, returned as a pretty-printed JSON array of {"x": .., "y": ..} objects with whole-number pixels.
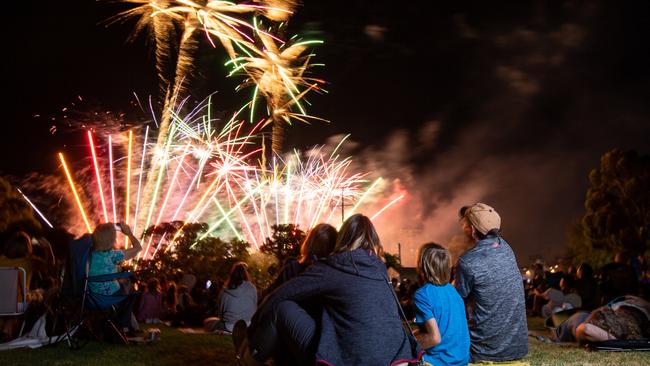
[{"x": 199, "y": 169}]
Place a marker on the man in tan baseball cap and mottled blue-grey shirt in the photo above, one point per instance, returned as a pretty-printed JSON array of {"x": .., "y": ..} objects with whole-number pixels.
[{"x": 488, "y": 279}]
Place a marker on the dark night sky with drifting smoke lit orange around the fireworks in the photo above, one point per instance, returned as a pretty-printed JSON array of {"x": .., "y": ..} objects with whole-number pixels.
[{"x": 508, "y": 103}]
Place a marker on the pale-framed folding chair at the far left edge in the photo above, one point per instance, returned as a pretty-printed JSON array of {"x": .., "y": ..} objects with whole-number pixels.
[{"x": 13, "y": 292}]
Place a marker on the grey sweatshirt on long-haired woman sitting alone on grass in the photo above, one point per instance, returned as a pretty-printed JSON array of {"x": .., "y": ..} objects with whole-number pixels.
[{"x": 237, "y": 303}]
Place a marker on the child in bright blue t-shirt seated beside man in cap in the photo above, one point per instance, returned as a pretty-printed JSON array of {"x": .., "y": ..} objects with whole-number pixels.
[{"x": 440, "y": 310}]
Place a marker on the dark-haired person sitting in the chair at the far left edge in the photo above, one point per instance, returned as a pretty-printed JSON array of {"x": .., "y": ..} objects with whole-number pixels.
[{"x": 18, "y": 252}]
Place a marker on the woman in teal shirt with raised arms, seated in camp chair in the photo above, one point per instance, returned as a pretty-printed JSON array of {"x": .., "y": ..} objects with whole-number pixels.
[{"x": 105, "y": 260}]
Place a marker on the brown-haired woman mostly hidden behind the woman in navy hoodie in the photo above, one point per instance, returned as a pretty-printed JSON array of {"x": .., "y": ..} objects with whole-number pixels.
[{"x": 319, "y": 243}]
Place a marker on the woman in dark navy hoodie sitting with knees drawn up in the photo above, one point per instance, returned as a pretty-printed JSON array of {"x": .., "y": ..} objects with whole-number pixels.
[{"x": 360, "y": 322}]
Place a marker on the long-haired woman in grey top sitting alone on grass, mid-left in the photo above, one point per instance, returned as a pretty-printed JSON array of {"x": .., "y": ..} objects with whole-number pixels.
[{"x": 238, "y": 300}]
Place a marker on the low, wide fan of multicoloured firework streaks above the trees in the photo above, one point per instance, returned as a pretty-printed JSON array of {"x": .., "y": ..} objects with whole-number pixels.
[{"x": 208, "y": 172}]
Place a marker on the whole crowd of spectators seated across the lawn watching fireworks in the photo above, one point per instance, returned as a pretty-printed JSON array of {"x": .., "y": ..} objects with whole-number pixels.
[{"x": 336, "y": 304}]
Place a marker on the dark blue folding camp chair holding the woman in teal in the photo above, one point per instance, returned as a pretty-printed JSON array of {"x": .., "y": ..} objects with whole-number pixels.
[{"x": 77, "y": 298}]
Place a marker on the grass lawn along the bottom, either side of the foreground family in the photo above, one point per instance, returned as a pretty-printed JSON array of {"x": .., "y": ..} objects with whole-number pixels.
[{"x": 176, "y": 348}]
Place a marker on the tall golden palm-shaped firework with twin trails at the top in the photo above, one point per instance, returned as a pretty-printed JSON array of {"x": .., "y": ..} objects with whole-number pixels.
[{"x": 216, "y": 18}]
